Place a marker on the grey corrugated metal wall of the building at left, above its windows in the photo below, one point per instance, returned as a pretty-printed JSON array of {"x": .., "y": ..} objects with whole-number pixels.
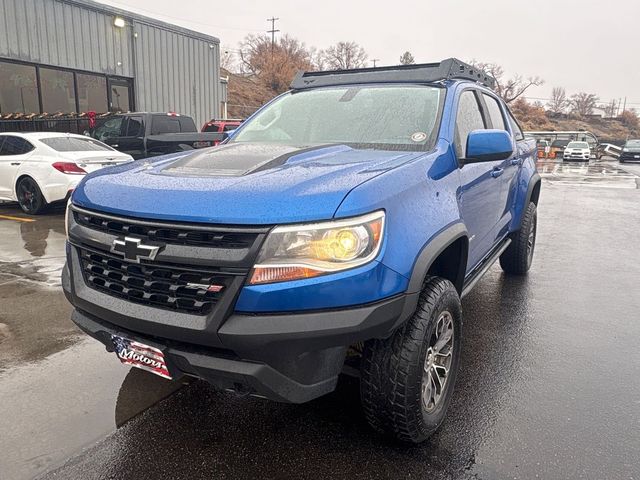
[{"x": 174, "y": 69}]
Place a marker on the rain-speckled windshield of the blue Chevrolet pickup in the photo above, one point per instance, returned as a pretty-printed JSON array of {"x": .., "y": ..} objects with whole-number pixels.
[{"x": 403, "y": 117}]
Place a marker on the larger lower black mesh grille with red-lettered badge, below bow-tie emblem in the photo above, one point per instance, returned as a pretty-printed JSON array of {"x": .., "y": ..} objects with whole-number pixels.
[{"x": 164, "y": 286}]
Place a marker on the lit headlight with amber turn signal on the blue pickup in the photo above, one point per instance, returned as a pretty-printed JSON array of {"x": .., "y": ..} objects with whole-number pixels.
[{"x": 303, "y": 251}]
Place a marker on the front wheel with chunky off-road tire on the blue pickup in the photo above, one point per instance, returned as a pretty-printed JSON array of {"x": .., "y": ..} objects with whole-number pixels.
[{"x": 407, "y": 379}]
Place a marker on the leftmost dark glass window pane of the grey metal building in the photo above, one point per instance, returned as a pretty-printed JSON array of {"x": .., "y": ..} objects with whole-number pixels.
[{"x": 18, "y": 89}]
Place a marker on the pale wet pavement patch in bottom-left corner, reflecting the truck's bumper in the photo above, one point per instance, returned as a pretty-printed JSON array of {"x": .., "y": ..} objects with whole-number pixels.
[{"x": 54, "y": 408}]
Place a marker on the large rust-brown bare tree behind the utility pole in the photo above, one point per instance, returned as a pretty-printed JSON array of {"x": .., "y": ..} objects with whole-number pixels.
[{"x": 274, "y": 67}]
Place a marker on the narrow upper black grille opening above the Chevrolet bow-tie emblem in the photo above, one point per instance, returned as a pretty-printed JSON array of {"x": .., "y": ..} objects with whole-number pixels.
[{"x": 165, "y": 233}]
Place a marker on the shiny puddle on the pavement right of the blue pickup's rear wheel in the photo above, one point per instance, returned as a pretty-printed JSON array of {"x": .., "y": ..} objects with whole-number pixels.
[{"x": 591, "y": 174}]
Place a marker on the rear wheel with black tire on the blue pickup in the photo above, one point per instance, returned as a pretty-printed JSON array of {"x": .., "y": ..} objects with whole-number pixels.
[{"x": 518, "y": 256}]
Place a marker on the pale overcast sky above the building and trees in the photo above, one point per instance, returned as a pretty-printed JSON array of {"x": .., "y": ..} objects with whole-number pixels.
[{"x": 585, "y": 45}]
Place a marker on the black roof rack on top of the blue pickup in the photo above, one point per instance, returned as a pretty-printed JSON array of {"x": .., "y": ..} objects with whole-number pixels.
[{"x": 421, "y": 73}]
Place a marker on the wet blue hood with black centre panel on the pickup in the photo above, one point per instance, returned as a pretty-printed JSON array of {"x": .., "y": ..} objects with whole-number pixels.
[{"x": 237, "y": 183}]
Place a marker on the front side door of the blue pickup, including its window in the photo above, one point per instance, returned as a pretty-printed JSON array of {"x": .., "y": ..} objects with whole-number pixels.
[{"x": 480, "y": 195}]
